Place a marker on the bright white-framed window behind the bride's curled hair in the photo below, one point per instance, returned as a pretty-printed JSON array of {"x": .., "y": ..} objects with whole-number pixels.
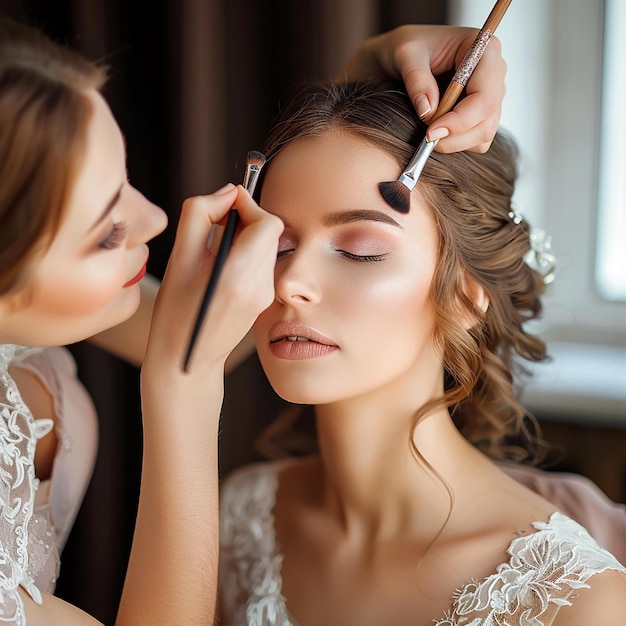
[{"x": 572, "y": 137}]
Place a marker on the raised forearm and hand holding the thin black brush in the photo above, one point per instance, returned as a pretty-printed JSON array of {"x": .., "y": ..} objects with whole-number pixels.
[{"x": 172, "y": 572}]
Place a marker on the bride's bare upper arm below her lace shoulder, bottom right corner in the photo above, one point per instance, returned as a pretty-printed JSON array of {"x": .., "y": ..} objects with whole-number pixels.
[{"x": 604, "y": 602}]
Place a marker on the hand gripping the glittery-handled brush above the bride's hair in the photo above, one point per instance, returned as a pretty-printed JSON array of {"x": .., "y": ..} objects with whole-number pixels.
[{"x": 417, "y": 54}]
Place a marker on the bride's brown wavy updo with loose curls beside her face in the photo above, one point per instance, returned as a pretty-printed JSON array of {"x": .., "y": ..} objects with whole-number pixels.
[{"x": 470, "y": 198}]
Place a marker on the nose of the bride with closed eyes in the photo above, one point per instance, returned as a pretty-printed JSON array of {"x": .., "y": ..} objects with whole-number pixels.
[{"x": 295, "y": 281}]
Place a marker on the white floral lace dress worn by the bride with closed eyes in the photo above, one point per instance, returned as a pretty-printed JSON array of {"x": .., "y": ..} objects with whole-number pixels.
[{"x": 545, "y": 567}]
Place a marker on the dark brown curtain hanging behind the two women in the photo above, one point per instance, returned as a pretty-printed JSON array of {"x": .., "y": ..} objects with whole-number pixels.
[{"x": 194, "y": 85}]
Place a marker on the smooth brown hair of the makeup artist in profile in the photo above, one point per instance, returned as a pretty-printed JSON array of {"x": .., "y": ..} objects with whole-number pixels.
[{"x": 44, "y": 112}]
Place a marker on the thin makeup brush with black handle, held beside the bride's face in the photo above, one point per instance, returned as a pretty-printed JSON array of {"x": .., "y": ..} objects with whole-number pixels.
[{"x": 254, "y": 163}]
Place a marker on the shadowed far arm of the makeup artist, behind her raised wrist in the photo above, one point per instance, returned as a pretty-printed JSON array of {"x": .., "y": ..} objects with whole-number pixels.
[{"x": 128, "y": 340}]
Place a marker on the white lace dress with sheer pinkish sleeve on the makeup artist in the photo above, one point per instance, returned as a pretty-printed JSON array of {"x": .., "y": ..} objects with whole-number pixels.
[{"x": 36, "y": 516}]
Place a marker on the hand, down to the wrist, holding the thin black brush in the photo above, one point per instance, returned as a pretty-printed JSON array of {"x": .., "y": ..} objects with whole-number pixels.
[{"x": 246, "y": 286}]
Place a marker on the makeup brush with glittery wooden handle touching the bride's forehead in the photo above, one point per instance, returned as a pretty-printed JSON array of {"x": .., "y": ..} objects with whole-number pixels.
[{"x": 397, "y": 193}]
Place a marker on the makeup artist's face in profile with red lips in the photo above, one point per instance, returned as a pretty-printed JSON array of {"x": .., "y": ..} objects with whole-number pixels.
[{"x": 87, "y": 280}]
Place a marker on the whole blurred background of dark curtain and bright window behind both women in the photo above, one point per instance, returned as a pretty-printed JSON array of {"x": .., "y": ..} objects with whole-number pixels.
[{"x": 195, "y": 85}]
